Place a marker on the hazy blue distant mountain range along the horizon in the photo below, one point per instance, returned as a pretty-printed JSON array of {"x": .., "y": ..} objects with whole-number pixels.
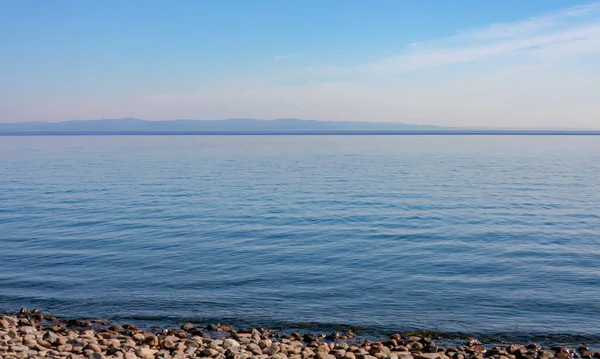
[{"x": 134, "y": 125}]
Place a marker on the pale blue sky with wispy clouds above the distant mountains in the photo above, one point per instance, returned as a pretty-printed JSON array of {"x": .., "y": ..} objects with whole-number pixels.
[{"x": 532, "y": 63}]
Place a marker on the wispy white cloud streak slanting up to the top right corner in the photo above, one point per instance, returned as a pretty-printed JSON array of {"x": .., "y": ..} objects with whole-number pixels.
[{"x": 570, "y": 31}]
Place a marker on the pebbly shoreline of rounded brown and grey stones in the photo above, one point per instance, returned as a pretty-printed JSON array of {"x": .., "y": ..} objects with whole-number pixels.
[{"x": 32, "y": 334}]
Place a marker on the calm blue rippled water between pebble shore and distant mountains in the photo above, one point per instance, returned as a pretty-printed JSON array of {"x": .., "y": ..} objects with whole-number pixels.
[{"x": 482, "y": 234}]
